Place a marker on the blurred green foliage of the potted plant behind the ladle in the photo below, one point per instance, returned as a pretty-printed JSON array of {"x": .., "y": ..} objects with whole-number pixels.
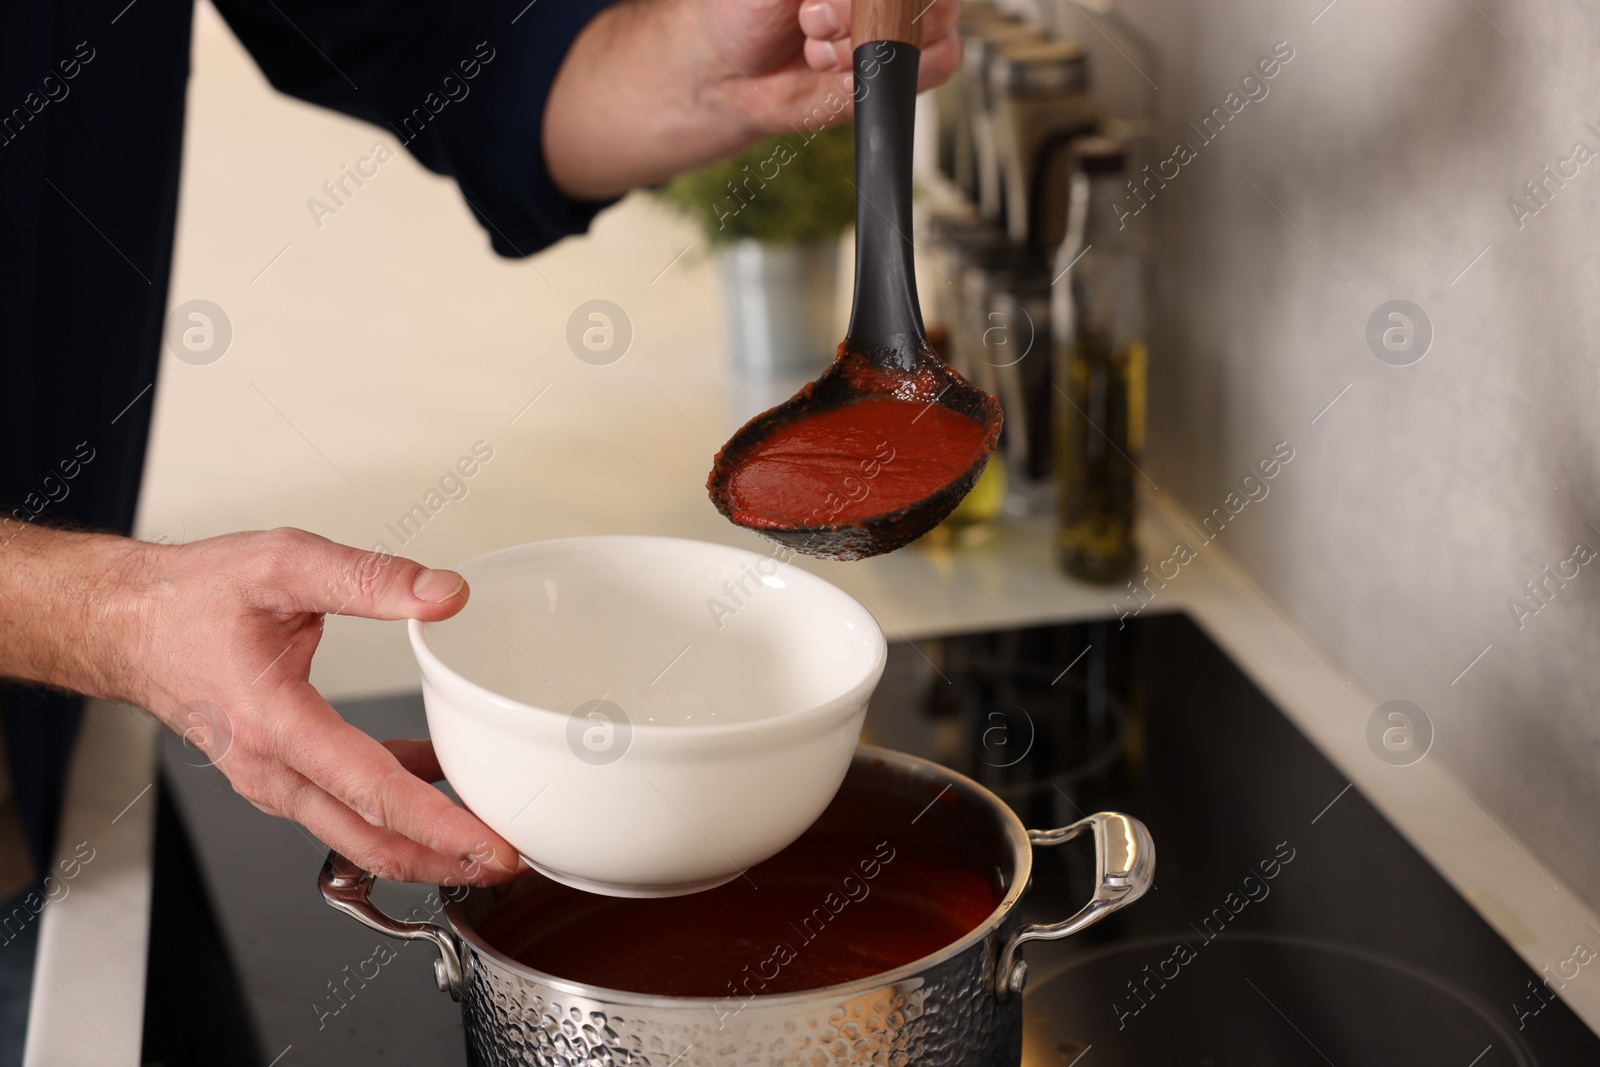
[{"x": 786, "y": 190}]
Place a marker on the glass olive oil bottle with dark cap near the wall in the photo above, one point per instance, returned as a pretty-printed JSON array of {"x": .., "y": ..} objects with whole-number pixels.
[{"x": 1098, "y": 324}]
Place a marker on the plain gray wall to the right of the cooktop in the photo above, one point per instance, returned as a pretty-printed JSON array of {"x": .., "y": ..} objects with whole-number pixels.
[{"x": 1425, "y": 498}]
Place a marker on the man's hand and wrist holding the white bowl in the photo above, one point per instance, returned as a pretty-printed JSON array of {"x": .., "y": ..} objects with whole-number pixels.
[{"x": 215, "y": 639}]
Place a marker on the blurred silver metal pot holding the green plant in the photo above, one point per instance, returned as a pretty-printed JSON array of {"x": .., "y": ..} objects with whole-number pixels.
[{"x": 782, "y": 306}]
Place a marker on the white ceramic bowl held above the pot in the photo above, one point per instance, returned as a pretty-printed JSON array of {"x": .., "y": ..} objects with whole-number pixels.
[{"x": 647, "y": 716}]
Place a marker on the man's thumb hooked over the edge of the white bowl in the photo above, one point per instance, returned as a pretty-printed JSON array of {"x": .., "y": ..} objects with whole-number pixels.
[{"x": 302, "y": 572}]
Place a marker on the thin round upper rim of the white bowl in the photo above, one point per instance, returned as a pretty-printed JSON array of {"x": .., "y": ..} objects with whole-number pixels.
[{"x": 441, "y": 674}]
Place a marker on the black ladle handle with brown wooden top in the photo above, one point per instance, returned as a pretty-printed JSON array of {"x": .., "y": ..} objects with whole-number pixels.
[{"x": 887, "y": 322}]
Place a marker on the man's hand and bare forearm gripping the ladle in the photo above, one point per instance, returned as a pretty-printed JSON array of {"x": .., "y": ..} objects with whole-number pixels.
[{"x": 658, "y": 87}]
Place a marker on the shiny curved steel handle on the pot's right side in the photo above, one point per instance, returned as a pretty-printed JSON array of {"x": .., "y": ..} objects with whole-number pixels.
[{"x": 1124, "y": 869}]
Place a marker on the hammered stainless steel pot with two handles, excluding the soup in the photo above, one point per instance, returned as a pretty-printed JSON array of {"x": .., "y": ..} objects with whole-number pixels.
[{"x": 958, "y": 1007}]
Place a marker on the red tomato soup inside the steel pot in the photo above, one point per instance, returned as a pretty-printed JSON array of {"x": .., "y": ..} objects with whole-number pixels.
[{"x": 818, "y": 914}]
